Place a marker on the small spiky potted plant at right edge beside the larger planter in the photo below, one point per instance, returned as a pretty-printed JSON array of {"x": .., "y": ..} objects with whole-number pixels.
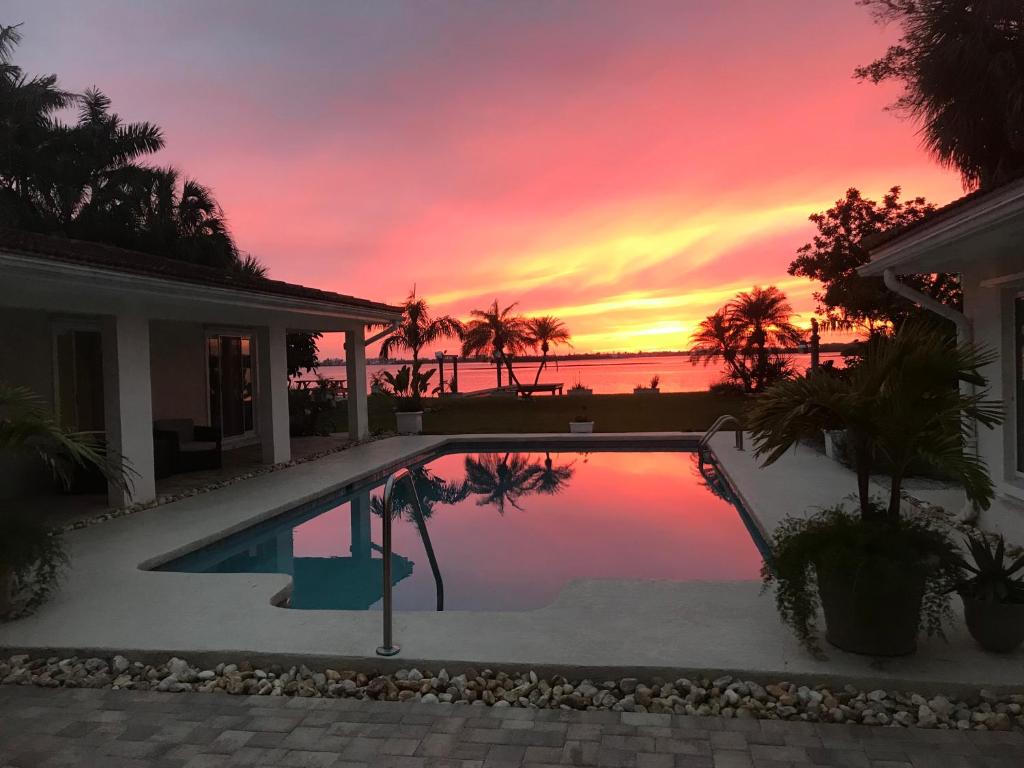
[{"x": 993, "y": 590}]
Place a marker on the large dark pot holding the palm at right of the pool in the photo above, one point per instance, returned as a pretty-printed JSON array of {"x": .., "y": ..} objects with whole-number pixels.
[{"x": 872, "y": 616}]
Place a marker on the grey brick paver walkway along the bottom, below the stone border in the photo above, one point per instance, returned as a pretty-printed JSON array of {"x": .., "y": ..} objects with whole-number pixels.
[{"x": 117, "y": 730}]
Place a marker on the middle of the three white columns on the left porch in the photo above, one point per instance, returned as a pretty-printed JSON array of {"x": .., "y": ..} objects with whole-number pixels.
[{"x": 272, "y": 406}]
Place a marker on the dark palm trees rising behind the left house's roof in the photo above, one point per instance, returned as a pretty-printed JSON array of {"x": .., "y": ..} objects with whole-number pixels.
[{"x": 88, "y": 179}]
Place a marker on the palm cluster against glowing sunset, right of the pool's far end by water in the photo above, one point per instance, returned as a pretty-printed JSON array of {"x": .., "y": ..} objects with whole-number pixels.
[{"x": 749, "y": 334}]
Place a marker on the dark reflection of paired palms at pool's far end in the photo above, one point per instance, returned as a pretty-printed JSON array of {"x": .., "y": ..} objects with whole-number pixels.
[{"x": 501, "y": 480}]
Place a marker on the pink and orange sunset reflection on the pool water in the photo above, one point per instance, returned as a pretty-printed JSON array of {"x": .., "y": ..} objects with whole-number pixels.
[{"x": 618, "y": 516}]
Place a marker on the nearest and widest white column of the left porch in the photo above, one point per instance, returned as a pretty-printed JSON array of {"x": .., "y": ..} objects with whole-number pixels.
[{"x": 129, "y": 405}]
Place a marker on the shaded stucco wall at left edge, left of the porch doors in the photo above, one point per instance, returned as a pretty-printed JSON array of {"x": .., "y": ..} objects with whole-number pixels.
[{"x": 26, "y": 360}]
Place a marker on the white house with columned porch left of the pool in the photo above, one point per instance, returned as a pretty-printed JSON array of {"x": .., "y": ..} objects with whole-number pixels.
[{"x": 117, "y": 340}]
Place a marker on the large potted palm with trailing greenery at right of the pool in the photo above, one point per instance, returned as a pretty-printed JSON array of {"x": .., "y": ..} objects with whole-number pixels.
[{"x": 876, "y": 572}]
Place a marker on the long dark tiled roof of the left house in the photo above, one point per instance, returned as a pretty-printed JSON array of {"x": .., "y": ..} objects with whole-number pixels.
[{"x": 125, "y": 262}]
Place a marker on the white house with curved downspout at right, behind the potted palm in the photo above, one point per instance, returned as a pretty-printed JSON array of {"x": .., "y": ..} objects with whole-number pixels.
[{"x": 982, "y": 238}]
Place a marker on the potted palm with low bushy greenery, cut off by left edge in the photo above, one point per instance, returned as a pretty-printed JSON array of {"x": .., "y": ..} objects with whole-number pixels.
[{"x": 32, "y": 556}]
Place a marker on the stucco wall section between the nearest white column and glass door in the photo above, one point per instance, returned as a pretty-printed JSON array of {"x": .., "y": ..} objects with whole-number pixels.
[{"x": 178, "y": 366}]
